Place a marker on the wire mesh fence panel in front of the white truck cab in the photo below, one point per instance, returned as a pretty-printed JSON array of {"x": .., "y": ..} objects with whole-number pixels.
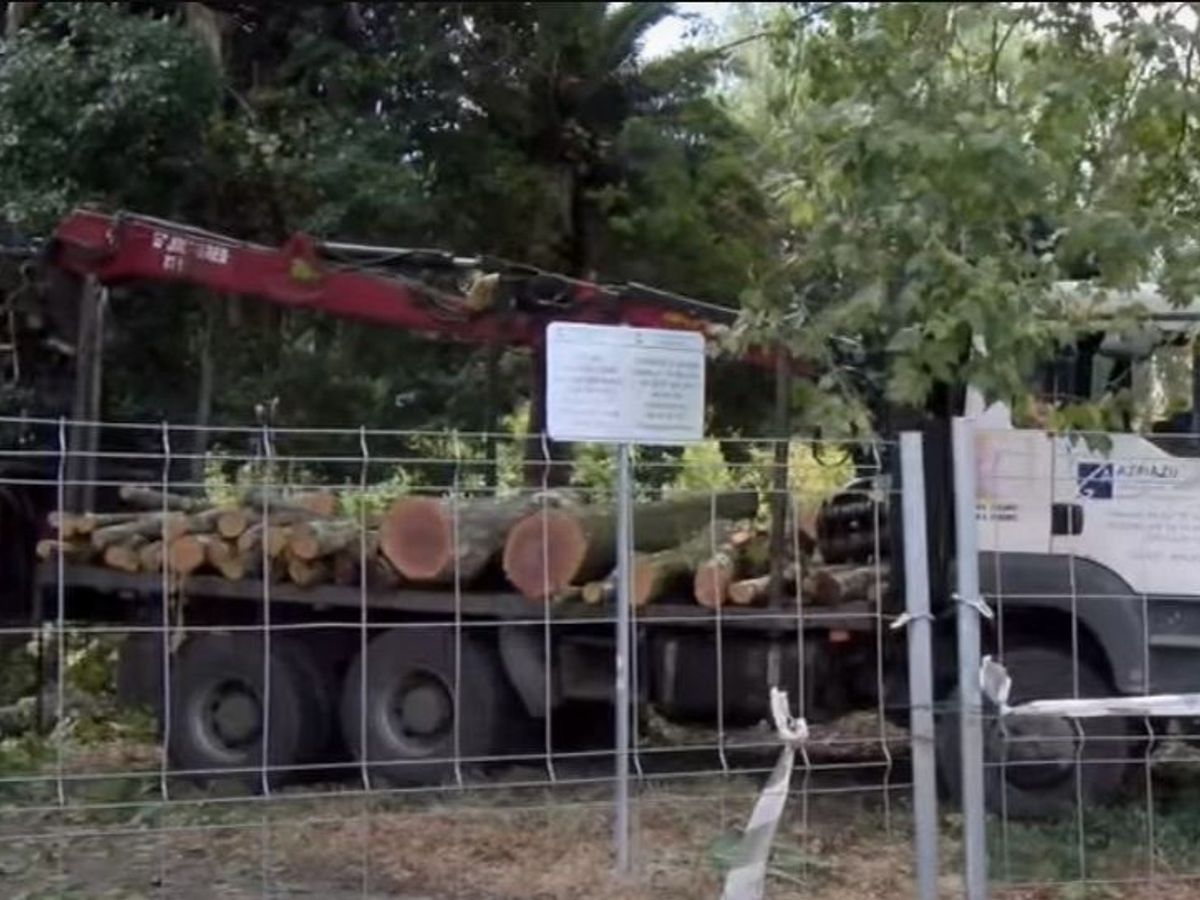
[{"x": 1089, "y": 565}]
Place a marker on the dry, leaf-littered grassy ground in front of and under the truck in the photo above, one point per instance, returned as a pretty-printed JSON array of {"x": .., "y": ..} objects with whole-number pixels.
[{"x": 843, "y": 838}]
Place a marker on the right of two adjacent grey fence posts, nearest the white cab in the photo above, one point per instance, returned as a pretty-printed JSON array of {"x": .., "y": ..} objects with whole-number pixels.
[{"x": 970, "y": 710}]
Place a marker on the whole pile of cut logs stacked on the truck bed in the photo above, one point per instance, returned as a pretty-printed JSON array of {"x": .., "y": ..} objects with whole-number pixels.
[{"x": 549, "y": 547}]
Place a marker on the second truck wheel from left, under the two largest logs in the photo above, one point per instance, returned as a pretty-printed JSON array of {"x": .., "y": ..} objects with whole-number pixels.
[{"x": 407, "y": 715}]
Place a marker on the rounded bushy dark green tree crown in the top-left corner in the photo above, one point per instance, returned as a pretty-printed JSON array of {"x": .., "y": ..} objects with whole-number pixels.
[{"x": 99, "y": 106}]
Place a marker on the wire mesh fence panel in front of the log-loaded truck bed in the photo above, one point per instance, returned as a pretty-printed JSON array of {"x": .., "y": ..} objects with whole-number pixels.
[{"x": 257, "y": 662}]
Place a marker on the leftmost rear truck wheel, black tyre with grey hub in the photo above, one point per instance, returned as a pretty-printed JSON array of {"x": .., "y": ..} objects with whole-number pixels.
[{"x": 217, "y": 712}]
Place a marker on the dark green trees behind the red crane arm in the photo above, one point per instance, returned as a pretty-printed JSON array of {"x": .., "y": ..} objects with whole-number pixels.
[{"x": 529, "y": 131}]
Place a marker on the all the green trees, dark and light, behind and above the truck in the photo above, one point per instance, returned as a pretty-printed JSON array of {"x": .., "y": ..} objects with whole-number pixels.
[{"x": 890, "y": 190}]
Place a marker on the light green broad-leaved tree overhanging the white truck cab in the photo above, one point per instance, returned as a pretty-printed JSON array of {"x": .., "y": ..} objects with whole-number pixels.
[{"x": 937, "y": 169}]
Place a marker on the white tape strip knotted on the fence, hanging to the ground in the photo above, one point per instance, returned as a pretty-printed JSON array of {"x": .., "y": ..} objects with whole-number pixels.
[{"x": 747, "y": 879}]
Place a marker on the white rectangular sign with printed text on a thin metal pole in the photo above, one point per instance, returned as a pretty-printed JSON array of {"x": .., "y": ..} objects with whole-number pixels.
[{"x": 617, "y": 385}]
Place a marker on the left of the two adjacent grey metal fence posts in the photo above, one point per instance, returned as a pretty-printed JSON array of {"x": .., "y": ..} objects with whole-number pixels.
[{"x": 921, "y": 664}]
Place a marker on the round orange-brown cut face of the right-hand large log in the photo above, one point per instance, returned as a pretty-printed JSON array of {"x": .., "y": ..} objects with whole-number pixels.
[{"x": 531, "y": 569}]
